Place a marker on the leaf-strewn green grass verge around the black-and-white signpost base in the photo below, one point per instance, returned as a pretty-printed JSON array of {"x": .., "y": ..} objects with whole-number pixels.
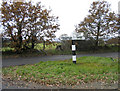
[{"x": 87, "y": 69}]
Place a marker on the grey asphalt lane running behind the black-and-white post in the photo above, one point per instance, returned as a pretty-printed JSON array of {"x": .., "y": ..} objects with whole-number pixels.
[{"x": 32, "y": 60}]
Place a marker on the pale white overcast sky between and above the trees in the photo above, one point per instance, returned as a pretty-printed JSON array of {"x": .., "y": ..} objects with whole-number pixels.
[{"x": 71, "y": 12}]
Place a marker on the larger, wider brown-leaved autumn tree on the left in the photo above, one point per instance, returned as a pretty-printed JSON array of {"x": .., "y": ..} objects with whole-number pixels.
[{"x": 26, "y": 24}]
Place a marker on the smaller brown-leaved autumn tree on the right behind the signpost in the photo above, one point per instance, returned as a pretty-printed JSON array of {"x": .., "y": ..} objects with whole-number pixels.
[{"x": 100, "y": 23}]
